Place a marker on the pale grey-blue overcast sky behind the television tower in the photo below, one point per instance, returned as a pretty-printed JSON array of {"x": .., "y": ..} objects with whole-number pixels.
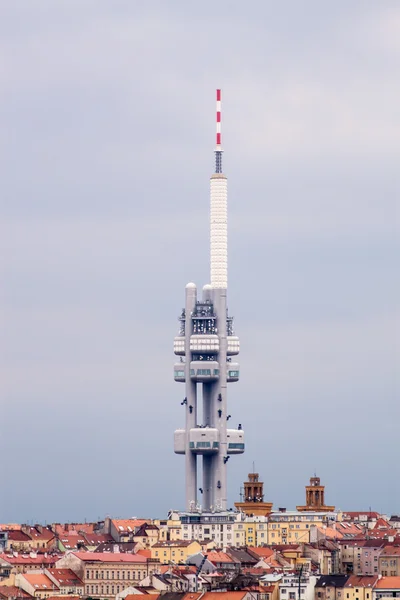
[{"x": 106, "y": 148}]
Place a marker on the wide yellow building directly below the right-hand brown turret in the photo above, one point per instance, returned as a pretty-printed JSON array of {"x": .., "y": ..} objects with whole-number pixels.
[{"x": 292, "y": 527}]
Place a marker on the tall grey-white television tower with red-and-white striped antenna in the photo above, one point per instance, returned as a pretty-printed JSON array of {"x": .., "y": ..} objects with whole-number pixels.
[{"x": 205, "y": 346}]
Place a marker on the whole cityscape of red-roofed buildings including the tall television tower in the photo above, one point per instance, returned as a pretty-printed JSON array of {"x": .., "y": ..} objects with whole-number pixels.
[{"x": 253, "y": 552}]
